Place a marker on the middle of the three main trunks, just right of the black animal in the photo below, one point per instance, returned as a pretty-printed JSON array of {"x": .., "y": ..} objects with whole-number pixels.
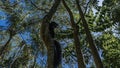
[{"x": 80, "y": 60}]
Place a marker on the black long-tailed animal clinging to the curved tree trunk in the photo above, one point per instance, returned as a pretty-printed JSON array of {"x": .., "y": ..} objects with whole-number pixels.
[{"x": 57, "y": 48}]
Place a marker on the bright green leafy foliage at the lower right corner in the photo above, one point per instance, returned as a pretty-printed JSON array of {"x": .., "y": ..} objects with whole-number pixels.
[{"x": 111, "y": 50}]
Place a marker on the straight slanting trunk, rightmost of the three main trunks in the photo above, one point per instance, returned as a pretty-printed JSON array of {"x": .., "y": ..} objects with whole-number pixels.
[{"x": 94, "y": 51}]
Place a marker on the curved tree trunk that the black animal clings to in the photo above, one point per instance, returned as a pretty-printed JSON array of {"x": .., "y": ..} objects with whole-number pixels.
[{"x": 44, "y": 32}]
